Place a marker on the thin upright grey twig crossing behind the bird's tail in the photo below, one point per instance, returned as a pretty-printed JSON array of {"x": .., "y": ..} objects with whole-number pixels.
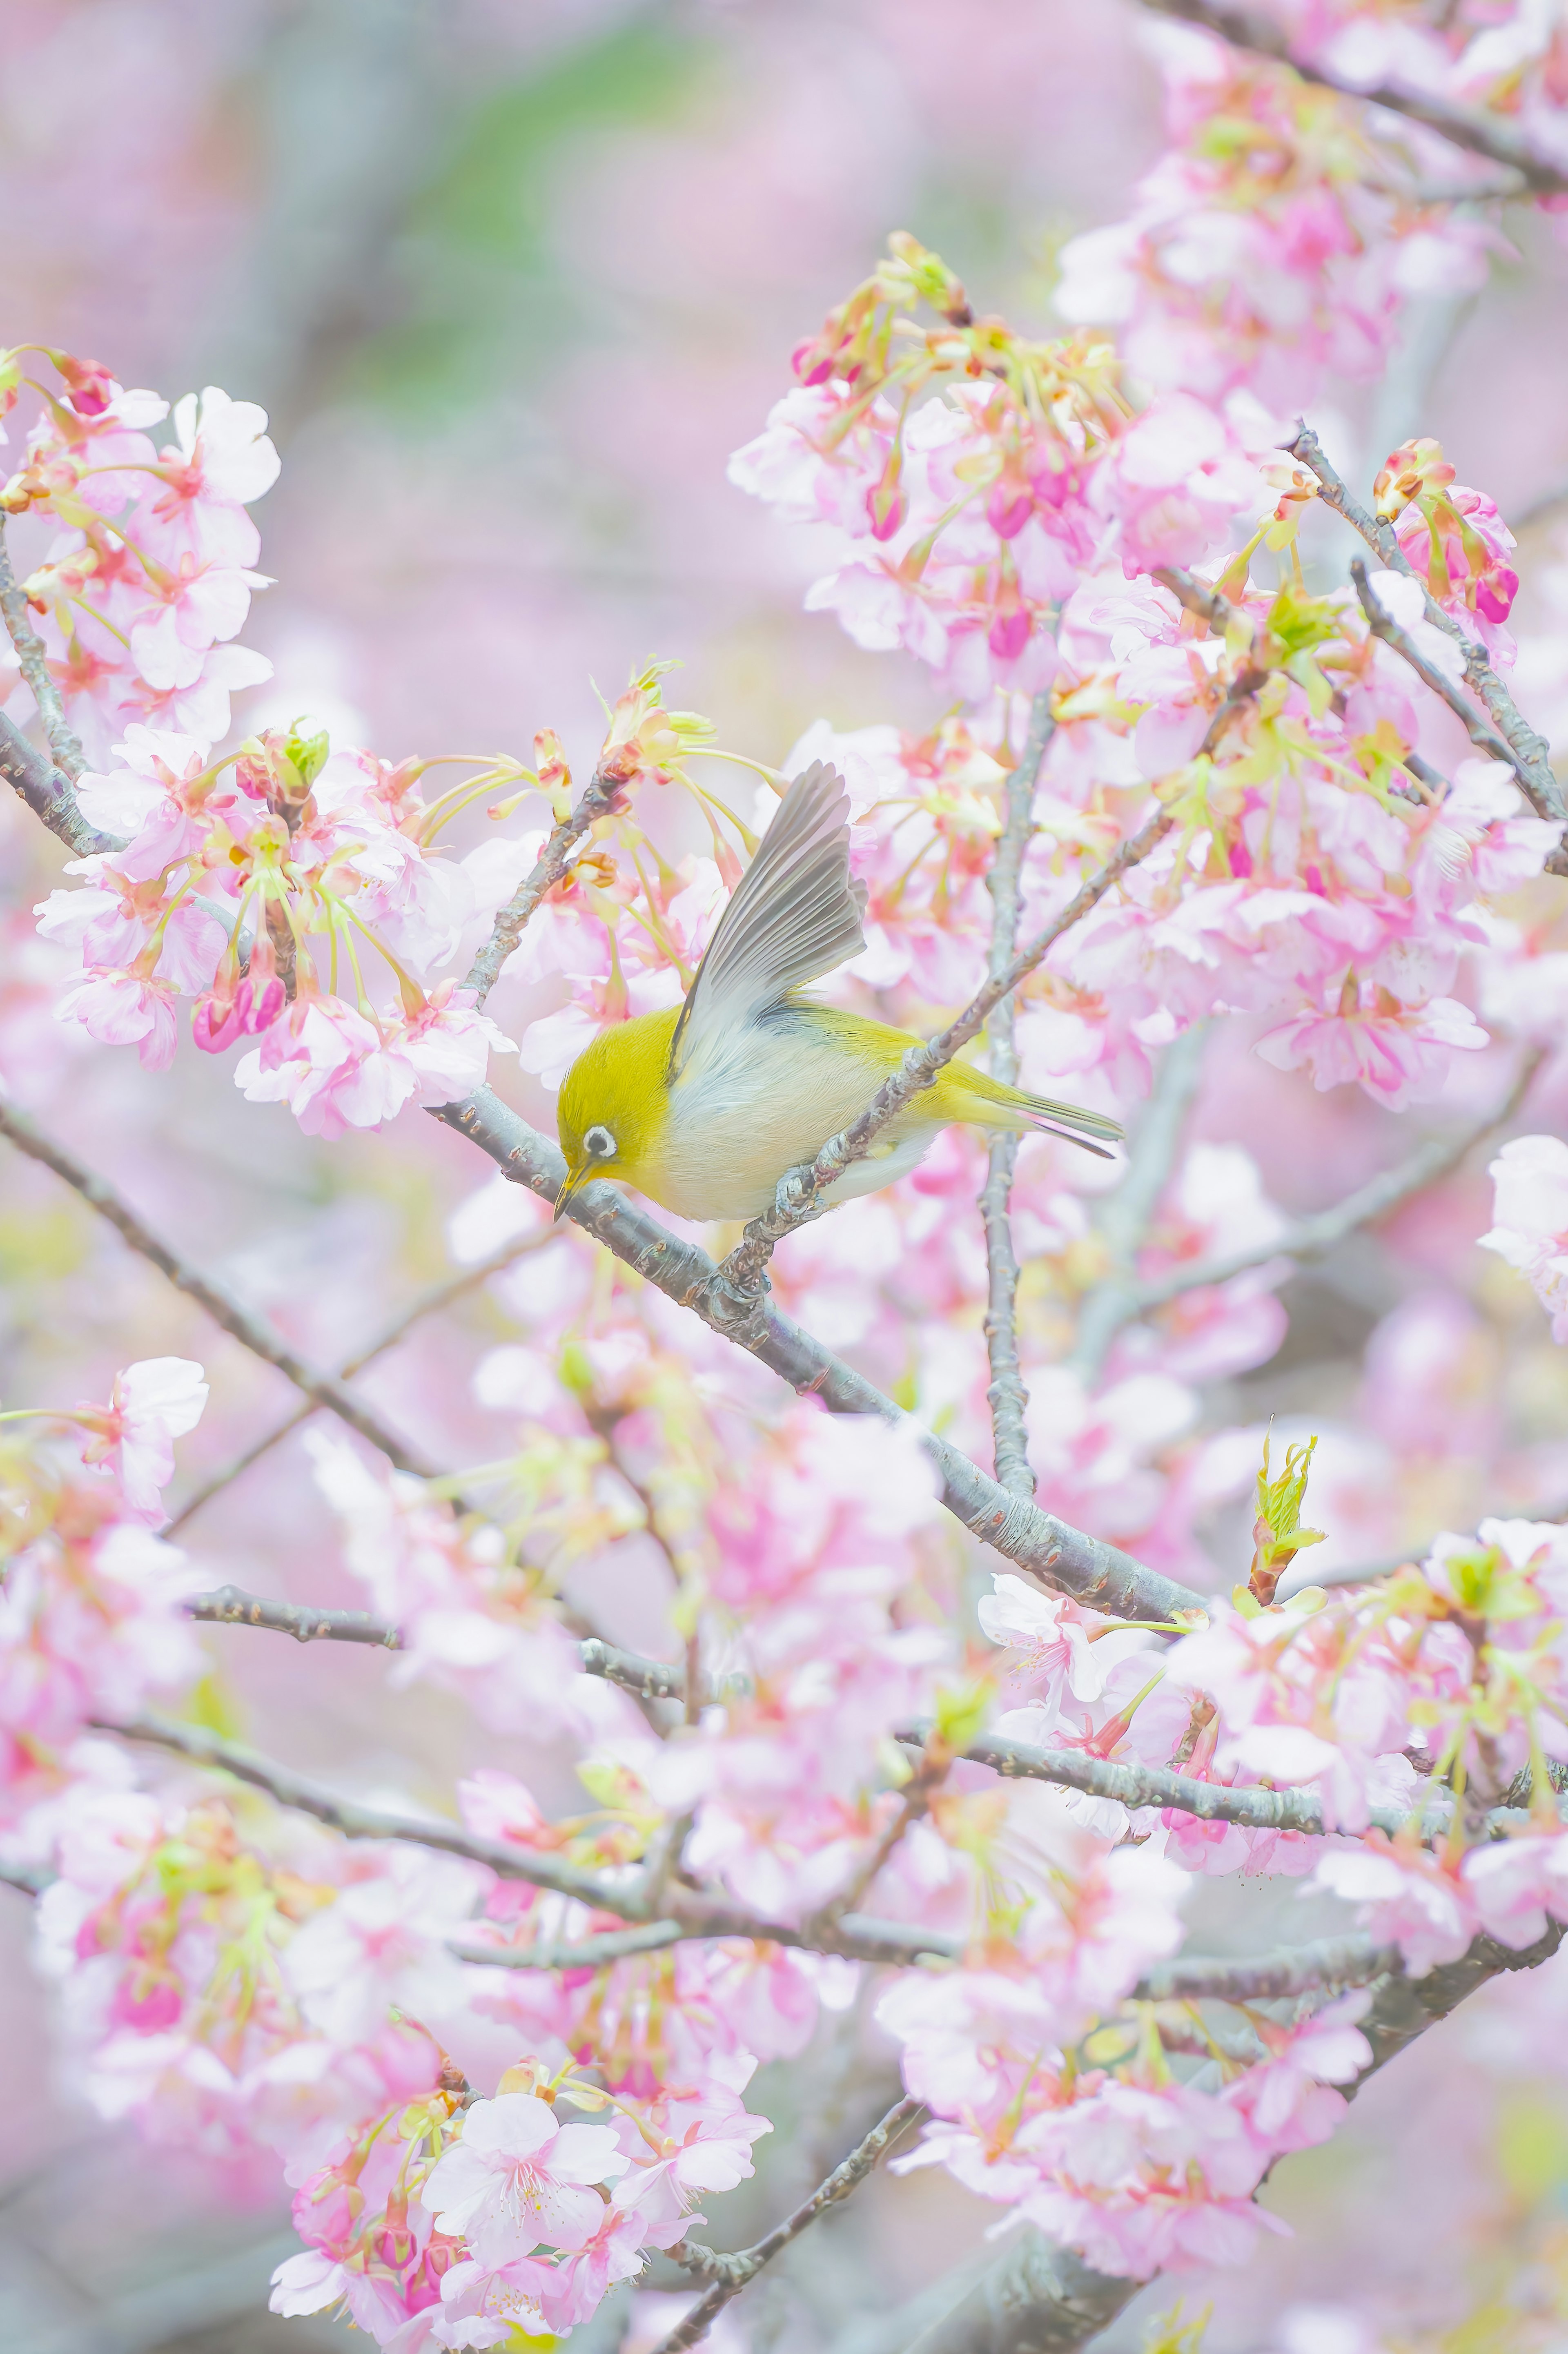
[{"x": 1006, "y": 1390}]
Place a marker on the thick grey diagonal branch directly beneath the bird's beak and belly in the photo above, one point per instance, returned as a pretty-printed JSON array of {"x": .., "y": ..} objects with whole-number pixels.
[{"x": 1032, "y": 1541}]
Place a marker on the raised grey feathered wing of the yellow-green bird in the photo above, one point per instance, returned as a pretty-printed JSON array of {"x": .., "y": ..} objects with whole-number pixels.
[{"x": 795, "y": 917}]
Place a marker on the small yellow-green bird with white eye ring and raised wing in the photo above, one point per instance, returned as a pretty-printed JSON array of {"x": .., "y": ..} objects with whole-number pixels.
[{"x": 707, "y": 1105}]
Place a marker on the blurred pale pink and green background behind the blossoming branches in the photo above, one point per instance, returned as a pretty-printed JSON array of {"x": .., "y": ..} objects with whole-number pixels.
[{"x": 512, "y": 279}]
